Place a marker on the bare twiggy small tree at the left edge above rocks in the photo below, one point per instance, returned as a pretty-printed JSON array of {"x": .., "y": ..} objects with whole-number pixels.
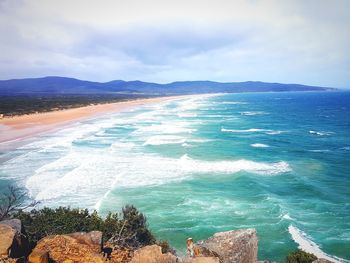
[{"x": 12, "y": 202}]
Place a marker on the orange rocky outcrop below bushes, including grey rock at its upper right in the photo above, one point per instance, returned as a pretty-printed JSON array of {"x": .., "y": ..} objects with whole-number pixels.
[{"x": 77, "y": 247}]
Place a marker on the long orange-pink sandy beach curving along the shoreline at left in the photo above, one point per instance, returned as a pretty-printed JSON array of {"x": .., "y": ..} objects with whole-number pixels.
[{"x": 17, "y": 128}]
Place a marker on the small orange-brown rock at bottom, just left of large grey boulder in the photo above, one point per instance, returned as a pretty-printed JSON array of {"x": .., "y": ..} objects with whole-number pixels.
[{"x": 152, "y": 254}]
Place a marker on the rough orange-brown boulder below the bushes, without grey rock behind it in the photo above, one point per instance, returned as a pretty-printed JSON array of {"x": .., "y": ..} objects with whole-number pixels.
[{"x": 64, "y": 247}]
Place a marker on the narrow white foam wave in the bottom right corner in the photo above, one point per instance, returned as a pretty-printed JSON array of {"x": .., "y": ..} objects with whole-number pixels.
[{"x": 306, "y": 244}]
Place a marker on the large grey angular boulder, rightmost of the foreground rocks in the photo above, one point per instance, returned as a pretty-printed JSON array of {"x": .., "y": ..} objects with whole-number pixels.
[{"x": 238, "y": 246}]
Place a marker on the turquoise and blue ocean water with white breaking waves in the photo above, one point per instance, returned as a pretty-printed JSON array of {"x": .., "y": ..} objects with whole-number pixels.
[{"x": 278, "y": 162}]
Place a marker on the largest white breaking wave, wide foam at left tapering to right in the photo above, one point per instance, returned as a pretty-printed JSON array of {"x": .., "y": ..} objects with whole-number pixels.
[{"x": 72, "y": 180}]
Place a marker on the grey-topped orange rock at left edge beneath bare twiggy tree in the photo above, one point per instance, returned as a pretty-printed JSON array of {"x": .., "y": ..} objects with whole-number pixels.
[{"x": 14, "y": 238}]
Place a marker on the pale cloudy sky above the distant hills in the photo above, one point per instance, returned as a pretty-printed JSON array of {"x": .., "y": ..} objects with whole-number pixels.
[{"x": 305, "y": 42}]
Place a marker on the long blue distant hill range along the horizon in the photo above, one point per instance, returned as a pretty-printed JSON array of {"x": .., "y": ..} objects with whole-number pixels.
[{"x": 62, "y": 85}]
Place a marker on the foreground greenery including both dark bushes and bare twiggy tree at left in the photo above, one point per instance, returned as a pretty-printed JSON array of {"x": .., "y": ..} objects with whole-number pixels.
[{"x": 125, "y": 229}]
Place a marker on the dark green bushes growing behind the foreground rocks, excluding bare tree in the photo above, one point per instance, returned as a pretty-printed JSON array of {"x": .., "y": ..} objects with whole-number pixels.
[{"x": 126, "y": 229}]
